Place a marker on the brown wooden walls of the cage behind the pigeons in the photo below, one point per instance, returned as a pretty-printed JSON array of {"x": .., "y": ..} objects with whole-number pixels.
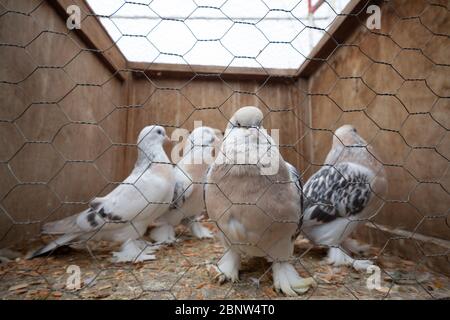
[{"x": 70, "y": 104}]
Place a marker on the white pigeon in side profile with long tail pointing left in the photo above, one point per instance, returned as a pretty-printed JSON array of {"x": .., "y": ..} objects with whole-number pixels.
[{"x": 125, "y": 213}]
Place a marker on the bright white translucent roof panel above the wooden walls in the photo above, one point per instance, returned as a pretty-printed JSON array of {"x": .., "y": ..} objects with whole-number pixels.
[{"x": 251, "y": 33}]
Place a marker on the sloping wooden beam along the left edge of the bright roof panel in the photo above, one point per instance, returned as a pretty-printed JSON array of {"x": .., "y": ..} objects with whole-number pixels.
[{"x": 95, "y": 36}]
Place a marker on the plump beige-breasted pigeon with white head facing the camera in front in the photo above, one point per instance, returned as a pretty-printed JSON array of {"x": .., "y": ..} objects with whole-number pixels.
[{"x": 252, "y": 195}]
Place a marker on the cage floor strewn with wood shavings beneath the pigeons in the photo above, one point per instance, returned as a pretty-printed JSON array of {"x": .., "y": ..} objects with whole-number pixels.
[{"x": 182, "y": 271}]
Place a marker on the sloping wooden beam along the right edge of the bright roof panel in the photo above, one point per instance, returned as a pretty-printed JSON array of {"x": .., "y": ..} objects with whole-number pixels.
[{"x": 339, "y": 31}]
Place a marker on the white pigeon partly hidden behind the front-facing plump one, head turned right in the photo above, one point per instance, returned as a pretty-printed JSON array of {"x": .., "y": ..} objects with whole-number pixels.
[{"x": 188, "y": 202}]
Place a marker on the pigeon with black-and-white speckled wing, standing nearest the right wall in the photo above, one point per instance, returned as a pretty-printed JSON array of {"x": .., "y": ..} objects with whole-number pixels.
[{"x": 346, "y": 191}]
